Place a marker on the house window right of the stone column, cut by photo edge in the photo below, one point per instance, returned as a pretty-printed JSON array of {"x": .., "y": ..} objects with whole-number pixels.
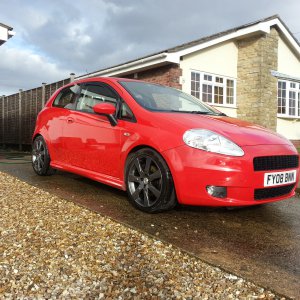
[{"x": 288, "y": 98}]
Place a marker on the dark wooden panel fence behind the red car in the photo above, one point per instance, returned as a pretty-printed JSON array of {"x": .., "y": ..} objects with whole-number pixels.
[{"x": 18, "y": 112}]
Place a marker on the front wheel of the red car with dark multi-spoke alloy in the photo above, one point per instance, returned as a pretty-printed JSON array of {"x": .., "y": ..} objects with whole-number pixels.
[{"x": 149, "y": 182}]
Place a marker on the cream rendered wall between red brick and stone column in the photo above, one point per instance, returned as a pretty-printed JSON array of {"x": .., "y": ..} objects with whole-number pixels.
[{"x": 220, "y": 59}]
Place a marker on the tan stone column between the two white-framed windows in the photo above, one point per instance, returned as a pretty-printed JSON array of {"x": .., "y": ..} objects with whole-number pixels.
[{"x": 256, "y": 87}]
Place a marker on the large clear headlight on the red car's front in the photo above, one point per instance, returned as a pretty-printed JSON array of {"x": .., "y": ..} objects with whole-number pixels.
[{"x": 210, "y": 141}]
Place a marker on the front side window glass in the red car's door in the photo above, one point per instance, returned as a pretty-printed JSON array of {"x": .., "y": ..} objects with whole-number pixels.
[{"x": 92, "y": 94}]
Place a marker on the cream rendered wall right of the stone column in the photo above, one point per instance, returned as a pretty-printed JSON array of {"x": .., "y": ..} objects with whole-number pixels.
[{"x": 288, "y": 64}]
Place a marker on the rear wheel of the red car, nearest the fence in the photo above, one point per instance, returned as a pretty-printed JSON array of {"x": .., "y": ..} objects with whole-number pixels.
[{"x": 41, "y": 158}]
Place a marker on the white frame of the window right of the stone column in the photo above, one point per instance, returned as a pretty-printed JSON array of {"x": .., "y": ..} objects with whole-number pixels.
[{"x": 289, "y": 89}]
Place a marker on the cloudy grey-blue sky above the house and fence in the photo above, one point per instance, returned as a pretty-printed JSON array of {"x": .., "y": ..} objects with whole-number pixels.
[{"x": 58, "y": 37}]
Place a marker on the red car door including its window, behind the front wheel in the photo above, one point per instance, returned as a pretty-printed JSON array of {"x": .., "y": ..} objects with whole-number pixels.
[{"x": 93, "y": 143}]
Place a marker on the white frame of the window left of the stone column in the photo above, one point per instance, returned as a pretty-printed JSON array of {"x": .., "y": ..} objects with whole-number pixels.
[{"x": 214, "y": 84}]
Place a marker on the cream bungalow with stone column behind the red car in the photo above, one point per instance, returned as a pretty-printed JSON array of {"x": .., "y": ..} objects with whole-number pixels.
[{"x": 250, "y": 72}]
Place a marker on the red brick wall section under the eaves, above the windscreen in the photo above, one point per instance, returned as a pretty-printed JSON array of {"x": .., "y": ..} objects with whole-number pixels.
[{"x": 167, "y": 75}]
